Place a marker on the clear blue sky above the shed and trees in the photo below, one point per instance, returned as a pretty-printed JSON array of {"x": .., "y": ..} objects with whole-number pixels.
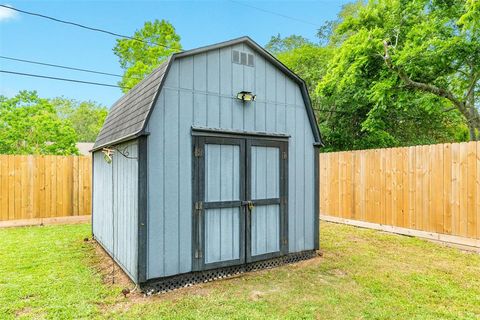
[{"x": 198, "y": 23}]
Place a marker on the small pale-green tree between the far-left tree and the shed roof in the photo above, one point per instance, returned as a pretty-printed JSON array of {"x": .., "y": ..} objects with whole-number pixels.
[{"x": 86, "y": 117}]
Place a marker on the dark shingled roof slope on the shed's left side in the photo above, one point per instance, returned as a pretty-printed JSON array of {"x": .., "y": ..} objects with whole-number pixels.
[{"x": 128, "y": 115}]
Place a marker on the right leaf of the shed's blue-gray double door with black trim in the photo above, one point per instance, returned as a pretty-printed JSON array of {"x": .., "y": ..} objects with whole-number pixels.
[{"x": 266, "y": 192}]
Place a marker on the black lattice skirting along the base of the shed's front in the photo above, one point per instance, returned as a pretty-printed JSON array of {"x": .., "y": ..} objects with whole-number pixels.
[{"x": 161, "y": 285}]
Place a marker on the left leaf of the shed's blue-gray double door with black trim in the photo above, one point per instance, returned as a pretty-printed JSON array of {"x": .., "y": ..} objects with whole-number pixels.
[{"x": 220, "y": 213}]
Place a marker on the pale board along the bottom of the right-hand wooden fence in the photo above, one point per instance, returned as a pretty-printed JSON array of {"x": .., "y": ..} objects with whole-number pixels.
[{"x": 461, "y": 242}]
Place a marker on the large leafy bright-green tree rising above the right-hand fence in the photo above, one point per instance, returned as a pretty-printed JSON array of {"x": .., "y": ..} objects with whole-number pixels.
[{"x": 370, "y": 104}]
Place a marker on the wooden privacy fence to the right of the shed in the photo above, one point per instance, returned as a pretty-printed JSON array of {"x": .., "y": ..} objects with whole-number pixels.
[{"x": 433, "y": 188}]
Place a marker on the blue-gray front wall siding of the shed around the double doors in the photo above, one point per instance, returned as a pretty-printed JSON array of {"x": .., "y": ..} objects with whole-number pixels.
[{"x": 199, "y": 91}]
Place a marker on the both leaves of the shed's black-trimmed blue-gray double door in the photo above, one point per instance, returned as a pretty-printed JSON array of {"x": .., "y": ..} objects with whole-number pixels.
[{"x": 240, "y": 200}]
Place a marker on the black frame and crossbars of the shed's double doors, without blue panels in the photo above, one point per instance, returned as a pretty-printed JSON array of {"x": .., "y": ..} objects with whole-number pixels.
[{"x": 202, "y": 136}]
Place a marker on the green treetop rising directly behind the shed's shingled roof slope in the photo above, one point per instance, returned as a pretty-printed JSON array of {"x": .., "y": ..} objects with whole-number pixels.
[{"x": 139, "y": 58}]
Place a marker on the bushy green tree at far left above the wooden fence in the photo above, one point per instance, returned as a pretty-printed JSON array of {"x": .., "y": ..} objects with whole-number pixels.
[{"x": 30, "y": 125}]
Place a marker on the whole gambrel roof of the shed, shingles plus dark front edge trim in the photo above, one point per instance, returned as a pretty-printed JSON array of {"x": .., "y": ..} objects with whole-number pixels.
[{"x": 129, "y": 116}]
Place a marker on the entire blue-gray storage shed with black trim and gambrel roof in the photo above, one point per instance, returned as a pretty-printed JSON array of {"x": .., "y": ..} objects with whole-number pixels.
[{"x": 208, "y": 167}]
